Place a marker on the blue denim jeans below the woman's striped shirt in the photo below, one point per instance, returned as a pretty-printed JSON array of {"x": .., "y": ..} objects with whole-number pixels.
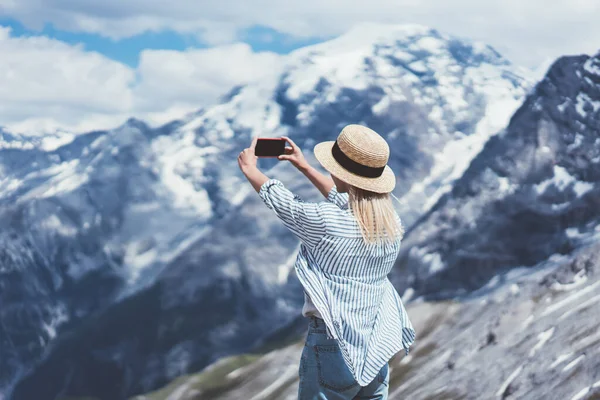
[{"x": 324, "y": 374}]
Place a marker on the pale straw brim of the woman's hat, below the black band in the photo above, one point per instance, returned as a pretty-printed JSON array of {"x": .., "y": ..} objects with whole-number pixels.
[{"x": 384, "y": 183}]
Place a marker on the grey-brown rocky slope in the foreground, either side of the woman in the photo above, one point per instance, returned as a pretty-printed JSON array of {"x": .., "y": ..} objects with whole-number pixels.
[{"x": 530, "y": 333}]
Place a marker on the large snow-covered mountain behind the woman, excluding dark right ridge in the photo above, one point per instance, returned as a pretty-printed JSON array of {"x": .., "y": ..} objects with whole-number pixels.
[{"x": 164, "y": 216}]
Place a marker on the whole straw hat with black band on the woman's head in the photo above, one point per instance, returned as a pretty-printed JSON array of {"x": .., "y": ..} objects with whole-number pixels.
[{"x": 359, "y": 157}]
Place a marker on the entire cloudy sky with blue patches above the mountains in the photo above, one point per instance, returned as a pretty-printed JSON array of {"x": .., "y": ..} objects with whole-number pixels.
[{"x": 85, "y": 64}]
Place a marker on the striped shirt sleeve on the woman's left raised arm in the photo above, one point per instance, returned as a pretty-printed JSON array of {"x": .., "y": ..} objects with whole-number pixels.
[{"x": 304, "y": 219}]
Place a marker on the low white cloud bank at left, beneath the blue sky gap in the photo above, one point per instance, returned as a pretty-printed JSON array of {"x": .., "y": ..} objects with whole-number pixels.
[{"x": 49, "y": 84}]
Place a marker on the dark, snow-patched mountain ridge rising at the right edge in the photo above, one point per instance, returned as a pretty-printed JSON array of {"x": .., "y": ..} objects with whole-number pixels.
[{"x": 534, "y": 190}]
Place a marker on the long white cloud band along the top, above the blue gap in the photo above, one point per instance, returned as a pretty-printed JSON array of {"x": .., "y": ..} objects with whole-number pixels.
[{"x": 528, "y": 32}]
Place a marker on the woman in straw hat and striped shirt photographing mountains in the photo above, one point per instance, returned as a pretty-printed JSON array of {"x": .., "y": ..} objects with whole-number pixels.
[{"x": 349, "y": 244}]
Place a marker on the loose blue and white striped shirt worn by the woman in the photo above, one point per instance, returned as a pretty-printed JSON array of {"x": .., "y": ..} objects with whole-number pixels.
[{"x": 345, "y": 278}]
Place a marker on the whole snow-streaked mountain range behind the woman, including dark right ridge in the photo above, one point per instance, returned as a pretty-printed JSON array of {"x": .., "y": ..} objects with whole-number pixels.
[{"x": 136, "y": 255}]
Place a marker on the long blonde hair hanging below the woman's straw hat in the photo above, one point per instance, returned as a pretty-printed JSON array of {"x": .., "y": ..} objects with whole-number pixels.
[{"x": 375, "y": 215}]
